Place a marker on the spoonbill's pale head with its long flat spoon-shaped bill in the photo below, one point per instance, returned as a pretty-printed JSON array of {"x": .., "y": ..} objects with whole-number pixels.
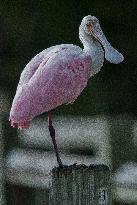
[{"x": 90, "y": 30}]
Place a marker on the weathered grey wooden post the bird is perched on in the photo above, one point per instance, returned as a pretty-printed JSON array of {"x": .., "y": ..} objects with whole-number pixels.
[{"x": 80, "y": 185}]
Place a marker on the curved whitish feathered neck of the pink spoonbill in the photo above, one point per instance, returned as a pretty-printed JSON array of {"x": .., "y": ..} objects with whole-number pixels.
[{"x": 94, "y": 49}]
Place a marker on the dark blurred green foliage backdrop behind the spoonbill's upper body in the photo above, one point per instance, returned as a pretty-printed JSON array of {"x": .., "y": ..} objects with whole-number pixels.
[{"x": 27, "y": 27}]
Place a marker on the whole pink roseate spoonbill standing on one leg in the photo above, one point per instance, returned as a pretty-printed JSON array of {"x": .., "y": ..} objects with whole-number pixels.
[{"x": 58, "y": 74}]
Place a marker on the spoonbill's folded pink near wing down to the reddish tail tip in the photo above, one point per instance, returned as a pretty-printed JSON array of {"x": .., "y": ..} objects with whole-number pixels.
[{"x": 58, "y": 79}]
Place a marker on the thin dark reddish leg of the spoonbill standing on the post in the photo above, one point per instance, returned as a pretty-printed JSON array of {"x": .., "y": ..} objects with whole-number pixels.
[{"x": 52, "y": 134}]
